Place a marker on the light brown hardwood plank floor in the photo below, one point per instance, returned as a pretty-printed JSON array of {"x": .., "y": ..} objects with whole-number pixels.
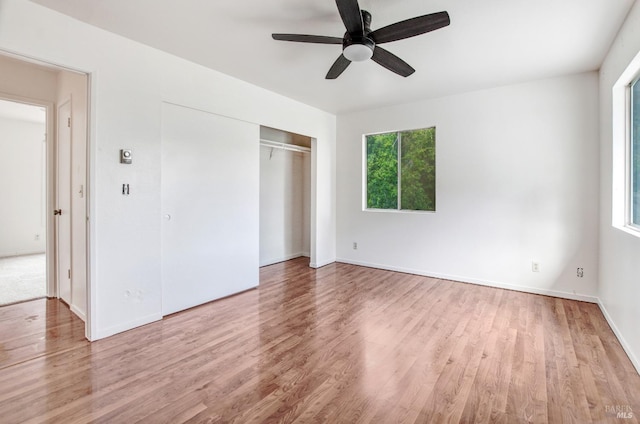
[{"x": 341, "y": 344}]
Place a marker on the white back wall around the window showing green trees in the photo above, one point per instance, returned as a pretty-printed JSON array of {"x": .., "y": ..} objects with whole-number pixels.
[{"x": 517, "y": 181}]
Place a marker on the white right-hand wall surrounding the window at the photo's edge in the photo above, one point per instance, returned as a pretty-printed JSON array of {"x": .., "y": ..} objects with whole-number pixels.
[{"x": 619, "y": 281}]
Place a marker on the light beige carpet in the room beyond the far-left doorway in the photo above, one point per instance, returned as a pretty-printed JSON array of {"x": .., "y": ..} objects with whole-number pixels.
[{"x": 22, "y": 278}]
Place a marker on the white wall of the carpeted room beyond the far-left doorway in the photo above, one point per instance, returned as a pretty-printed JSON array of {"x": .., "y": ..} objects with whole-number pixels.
[{"x": 22, "y": 187}]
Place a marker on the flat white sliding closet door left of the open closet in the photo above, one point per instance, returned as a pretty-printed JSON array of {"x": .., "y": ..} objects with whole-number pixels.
[{"x": 210, "y": 207}]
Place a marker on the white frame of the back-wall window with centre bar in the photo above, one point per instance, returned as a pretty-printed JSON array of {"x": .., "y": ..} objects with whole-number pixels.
[{"x": 365, "y": 180}]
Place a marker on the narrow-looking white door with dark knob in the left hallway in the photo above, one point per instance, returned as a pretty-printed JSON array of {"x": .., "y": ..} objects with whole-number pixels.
[{"x": 63, "y": 203}]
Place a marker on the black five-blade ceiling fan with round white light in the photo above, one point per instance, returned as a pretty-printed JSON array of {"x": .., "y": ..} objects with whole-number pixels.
[{"x": 360, "y": 43}]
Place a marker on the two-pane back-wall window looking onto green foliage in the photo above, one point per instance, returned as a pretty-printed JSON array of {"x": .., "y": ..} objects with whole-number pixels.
[{"x": 401, "y": 170}]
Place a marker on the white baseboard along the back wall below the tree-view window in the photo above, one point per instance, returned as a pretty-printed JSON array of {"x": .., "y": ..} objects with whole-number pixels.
[{"x": 462, "y": 279}]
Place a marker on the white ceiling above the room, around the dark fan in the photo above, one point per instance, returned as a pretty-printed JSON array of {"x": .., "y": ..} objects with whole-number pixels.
[{"x": 489, "y": 43}]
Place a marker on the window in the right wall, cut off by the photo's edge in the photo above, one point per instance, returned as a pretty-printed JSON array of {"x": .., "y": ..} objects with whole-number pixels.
[{"x": 634, "y": 195}]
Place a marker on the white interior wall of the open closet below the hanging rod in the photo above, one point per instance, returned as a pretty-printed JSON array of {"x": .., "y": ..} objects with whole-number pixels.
[{"x": 284, "y": 228}]
